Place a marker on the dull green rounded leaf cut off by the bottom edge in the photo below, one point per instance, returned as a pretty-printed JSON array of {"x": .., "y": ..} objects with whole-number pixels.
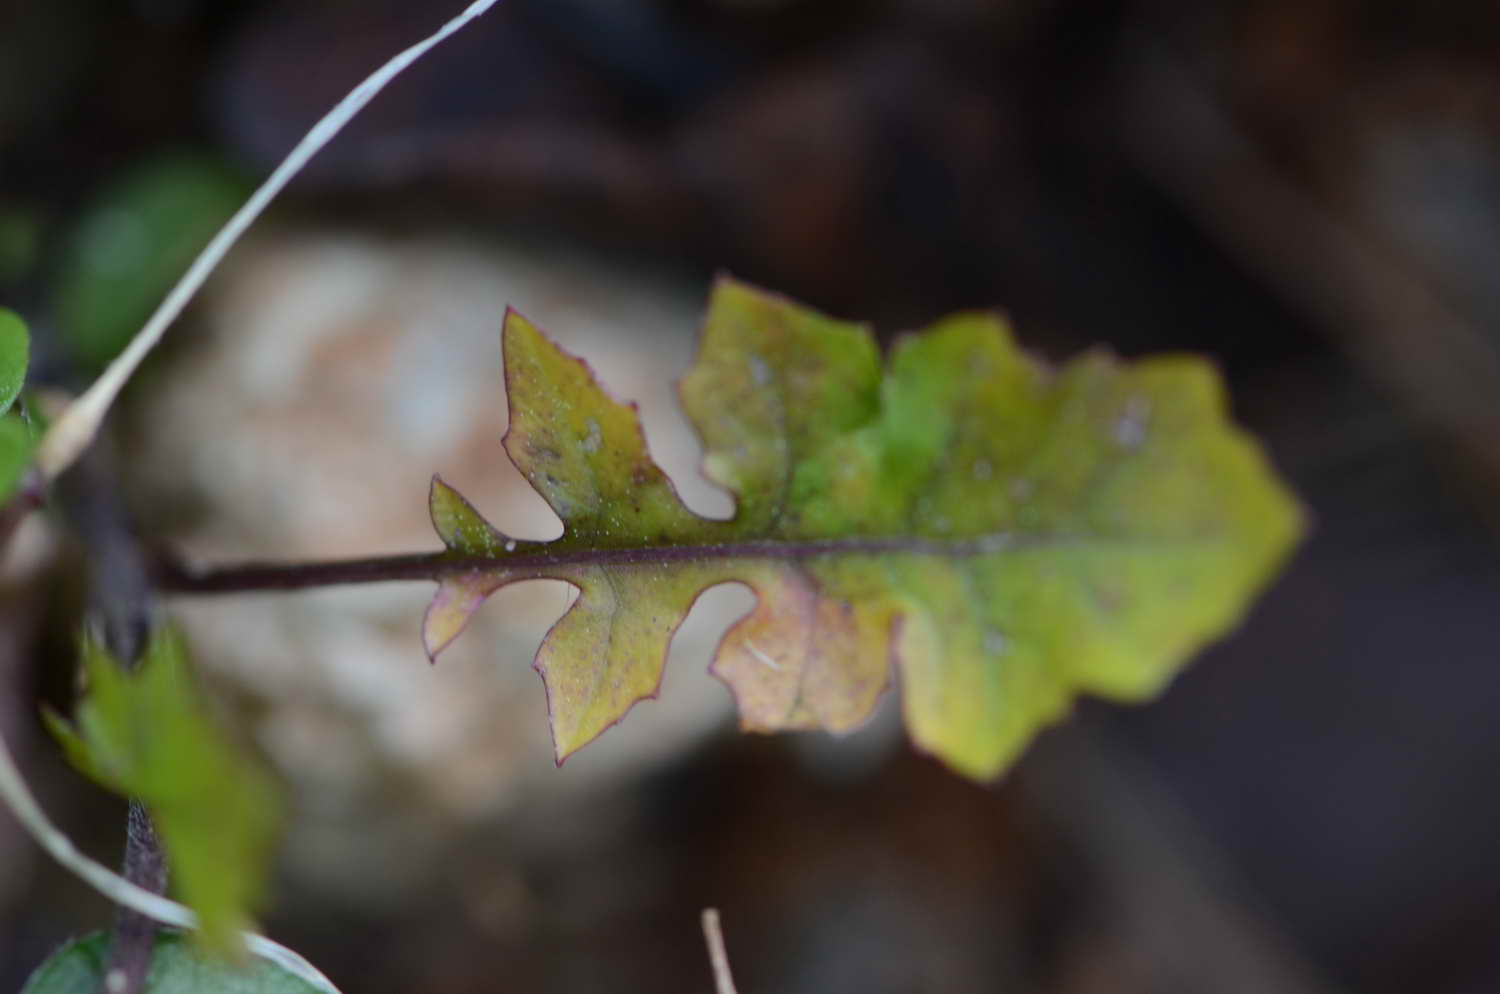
[{"x": 176, "y": 968}]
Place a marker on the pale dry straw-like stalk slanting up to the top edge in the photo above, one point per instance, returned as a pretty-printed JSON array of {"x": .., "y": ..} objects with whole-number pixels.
[{"x": 77, "y": 427}]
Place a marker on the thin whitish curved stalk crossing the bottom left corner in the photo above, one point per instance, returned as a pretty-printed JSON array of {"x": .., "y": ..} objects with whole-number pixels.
[{"x": 29, "y": 813}]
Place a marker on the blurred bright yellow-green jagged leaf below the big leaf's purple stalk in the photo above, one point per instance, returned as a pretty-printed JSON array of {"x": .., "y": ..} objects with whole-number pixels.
[{"x": 146, "y": 735}]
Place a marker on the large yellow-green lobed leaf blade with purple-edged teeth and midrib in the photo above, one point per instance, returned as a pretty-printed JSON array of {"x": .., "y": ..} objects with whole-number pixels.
[{"x": 1004, "y": 534}]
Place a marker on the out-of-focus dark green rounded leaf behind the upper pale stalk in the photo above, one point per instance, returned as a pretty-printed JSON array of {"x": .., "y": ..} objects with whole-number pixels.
[{"x": 133, "y": 245}]
